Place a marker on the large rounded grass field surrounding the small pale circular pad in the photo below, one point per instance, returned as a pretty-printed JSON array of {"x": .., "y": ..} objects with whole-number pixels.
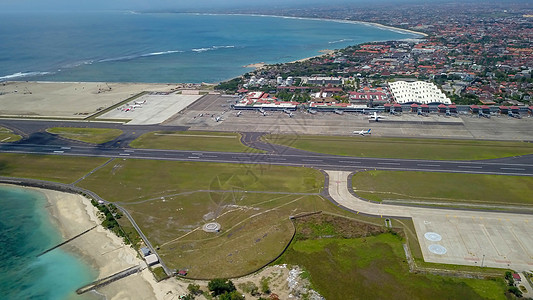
[{"x": 171, "y": 201}]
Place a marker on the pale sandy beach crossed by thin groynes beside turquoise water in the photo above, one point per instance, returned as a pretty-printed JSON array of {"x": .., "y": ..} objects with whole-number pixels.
[{"x": 104, "y": 251}]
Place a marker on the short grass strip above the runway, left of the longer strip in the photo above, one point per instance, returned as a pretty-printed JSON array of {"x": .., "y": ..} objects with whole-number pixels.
[{"x": 191, "y": 140}]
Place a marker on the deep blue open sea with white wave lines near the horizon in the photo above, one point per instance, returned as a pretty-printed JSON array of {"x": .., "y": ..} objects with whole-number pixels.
[{"x": 163, "y": 47}]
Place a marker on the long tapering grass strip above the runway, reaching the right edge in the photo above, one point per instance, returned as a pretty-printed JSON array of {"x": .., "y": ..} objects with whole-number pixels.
[{"x": 437, "y": 149}]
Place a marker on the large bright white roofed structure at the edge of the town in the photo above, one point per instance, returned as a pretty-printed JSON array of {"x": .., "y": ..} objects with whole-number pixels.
[{"x": 418, "y": 91}]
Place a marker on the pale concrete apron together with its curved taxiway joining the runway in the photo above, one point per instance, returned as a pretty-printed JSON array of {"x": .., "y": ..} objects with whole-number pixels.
[{"x": 462, "y": 237}]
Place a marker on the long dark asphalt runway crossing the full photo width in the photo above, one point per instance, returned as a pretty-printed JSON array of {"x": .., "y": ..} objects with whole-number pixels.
[{"x": 520, "y": 166}]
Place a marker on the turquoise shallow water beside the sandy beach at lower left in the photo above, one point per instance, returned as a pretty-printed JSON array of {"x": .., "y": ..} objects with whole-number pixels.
[{"x": 25, "y": 231}]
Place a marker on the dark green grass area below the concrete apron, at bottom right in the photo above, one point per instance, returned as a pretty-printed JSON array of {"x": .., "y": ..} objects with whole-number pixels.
[{"x": 375, "y": 268}]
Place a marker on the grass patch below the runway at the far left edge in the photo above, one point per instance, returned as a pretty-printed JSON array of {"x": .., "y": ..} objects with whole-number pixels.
[{"x": 65, "y": 169}]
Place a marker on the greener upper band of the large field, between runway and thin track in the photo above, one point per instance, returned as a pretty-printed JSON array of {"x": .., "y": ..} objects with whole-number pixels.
[{"x": 132, "y": 180}]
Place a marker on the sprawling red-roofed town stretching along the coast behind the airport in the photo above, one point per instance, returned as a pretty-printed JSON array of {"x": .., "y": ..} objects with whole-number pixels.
[{"x": 480, "y": 56}]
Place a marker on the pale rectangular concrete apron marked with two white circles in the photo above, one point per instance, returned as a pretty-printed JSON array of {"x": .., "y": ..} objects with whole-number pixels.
[{"x": 477, "y": 239}]
